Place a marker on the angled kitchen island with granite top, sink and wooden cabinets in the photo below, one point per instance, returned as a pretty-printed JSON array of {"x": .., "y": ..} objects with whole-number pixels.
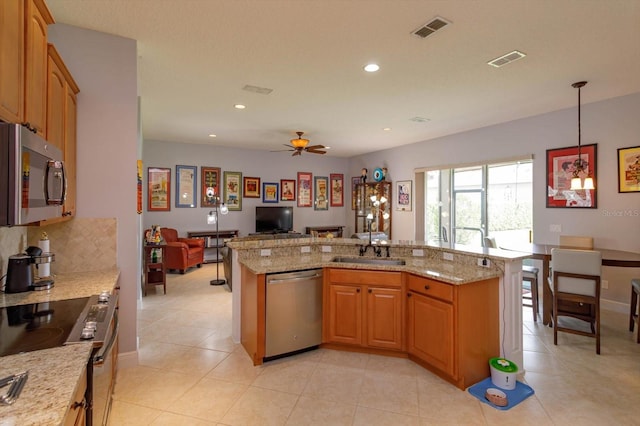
[{"x": 453, "y": 273}]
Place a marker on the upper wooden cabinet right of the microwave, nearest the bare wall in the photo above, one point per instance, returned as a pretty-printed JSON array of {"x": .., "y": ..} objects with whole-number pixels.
[{"x": 61, "y": 120}]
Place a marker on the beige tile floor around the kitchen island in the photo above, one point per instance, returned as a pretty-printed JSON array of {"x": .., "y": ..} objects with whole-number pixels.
[{"x": 191, "y": 373}]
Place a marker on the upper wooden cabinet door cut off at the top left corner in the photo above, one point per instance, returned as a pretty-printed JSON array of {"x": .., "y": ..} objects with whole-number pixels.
[{"x": 12, "y": 60}]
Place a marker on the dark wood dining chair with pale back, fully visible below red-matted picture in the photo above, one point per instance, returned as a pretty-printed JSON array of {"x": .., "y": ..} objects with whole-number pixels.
[{"x": 575, "y": 284}]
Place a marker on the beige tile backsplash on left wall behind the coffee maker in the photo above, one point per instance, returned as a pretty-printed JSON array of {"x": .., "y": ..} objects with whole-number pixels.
[{"x": 80, "y": 244}]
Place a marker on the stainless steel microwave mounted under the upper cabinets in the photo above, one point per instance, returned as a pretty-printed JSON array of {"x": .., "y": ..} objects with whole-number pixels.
[{"x": 32, "y": 177}]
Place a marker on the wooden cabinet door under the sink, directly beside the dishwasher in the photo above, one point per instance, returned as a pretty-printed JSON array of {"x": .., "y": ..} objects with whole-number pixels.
[{"x": 345, "y": 314}]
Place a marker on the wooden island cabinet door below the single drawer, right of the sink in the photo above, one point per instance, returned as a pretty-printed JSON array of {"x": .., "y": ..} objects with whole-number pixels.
[{"x": 431, "y": 333}]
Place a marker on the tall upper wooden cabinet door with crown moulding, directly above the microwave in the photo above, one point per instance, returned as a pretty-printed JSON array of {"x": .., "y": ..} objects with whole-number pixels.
[{"x": 38, "y": 18}]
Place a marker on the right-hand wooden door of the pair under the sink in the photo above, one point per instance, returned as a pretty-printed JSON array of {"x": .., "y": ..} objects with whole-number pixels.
[{"x": 384, "y": 317}]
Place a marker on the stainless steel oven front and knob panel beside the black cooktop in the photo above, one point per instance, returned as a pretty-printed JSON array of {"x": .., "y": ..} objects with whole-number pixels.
[{"x": 98, "y": 322}]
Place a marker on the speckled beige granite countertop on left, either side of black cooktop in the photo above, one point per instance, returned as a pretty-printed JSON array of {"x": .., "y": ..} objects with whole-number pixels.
[{"x": 57, "y": 375}]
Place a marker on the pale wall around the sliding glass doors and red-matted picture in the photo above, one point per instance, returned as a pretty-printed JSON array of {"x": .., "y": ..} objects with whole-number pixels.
[{"x": 612, "y": 124}]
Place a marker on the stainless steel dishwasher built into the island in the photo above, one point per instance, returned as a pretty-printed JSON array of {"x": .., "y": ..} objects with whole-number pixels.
[{"x": 294, "y": 312}]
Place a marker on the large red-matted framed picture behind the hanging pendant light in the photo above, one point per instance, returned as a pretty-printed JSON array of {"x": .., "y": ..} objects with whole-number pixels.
[{"x": 560, "y": 170}]
